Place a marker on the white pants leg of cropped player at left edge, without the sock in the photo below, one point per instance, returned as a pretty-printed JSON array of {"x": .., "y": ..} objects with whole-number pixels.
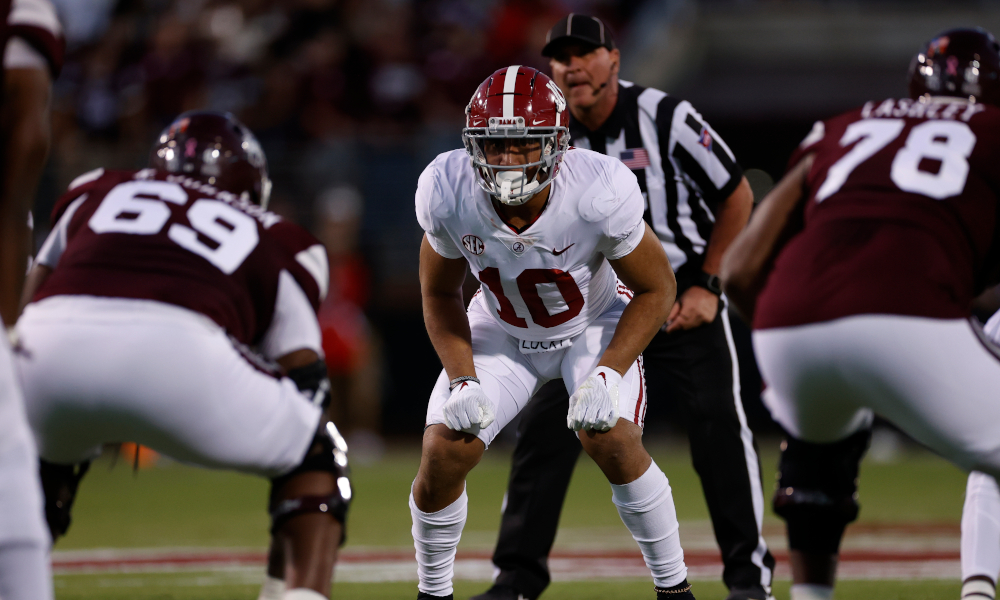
[{"x": 20, "y": 489}]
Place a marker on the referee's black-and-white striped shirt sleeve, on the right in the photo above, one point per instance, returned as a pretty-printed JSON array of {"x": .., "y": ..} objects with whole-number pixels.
[{"x": 704, "y": 158}]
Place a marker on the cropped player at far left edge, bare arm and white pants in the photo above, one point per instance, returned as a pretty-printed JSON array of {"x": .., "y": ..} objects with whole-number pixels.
[{"x": 32, "y": 48}]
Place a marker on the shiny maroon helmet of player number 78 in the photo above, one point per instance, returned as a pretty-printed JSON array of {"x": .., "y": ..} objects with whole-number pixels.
[{"x": 958, "y": 62}]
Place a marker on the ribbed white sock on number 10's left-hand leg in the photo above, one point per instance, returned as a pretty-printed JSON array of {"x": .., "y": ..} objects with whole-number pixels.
[{"x": 435, "y": 537}]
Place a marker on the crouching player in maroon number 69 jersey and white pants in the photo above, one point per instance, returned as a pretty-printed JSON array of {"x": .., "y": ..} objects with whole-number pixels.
[{"x": 145, "y": 297}]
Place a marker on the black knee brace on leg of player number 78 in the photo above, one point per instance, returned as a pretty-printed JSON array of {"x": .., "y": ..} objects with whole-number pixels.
[{"x": 817, "y": 493}]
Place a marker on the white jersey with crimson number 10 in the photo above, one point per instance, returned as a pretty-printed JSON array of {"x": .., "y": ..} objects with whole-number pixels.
[{"x": 553, "y": 279}]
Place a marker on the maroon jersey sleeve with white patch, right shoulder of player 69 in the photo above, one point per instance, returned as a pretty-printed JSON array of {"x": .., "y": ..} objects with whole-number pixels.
[{"x": 306, "y": 258}]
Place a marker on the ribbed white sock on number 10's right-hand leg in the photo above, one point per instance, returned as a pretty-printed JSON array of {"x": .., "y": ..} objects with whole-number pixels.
[{"x": 647, "y": 509}]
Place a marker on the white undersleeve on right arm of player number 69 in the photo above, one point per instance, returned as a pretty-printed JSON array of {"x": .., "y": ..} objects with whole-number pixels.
[{"x": 294, "y": 325}]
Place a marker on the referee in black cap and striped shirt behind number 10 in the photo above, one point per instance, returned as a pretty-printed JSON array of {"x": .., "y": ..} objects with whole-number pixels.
[{"x": 697, "y": 200}]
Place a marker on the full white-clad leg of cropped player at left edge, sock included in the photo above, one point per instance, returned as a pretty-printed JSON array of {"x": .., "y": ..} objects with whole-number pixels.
[{"x": 25, "y": 570}]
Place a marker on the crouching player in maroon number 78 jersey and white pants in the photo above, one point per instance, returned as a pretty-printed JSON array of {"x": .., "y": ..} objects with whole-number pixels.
[{"x": 858, "y": 271}]
